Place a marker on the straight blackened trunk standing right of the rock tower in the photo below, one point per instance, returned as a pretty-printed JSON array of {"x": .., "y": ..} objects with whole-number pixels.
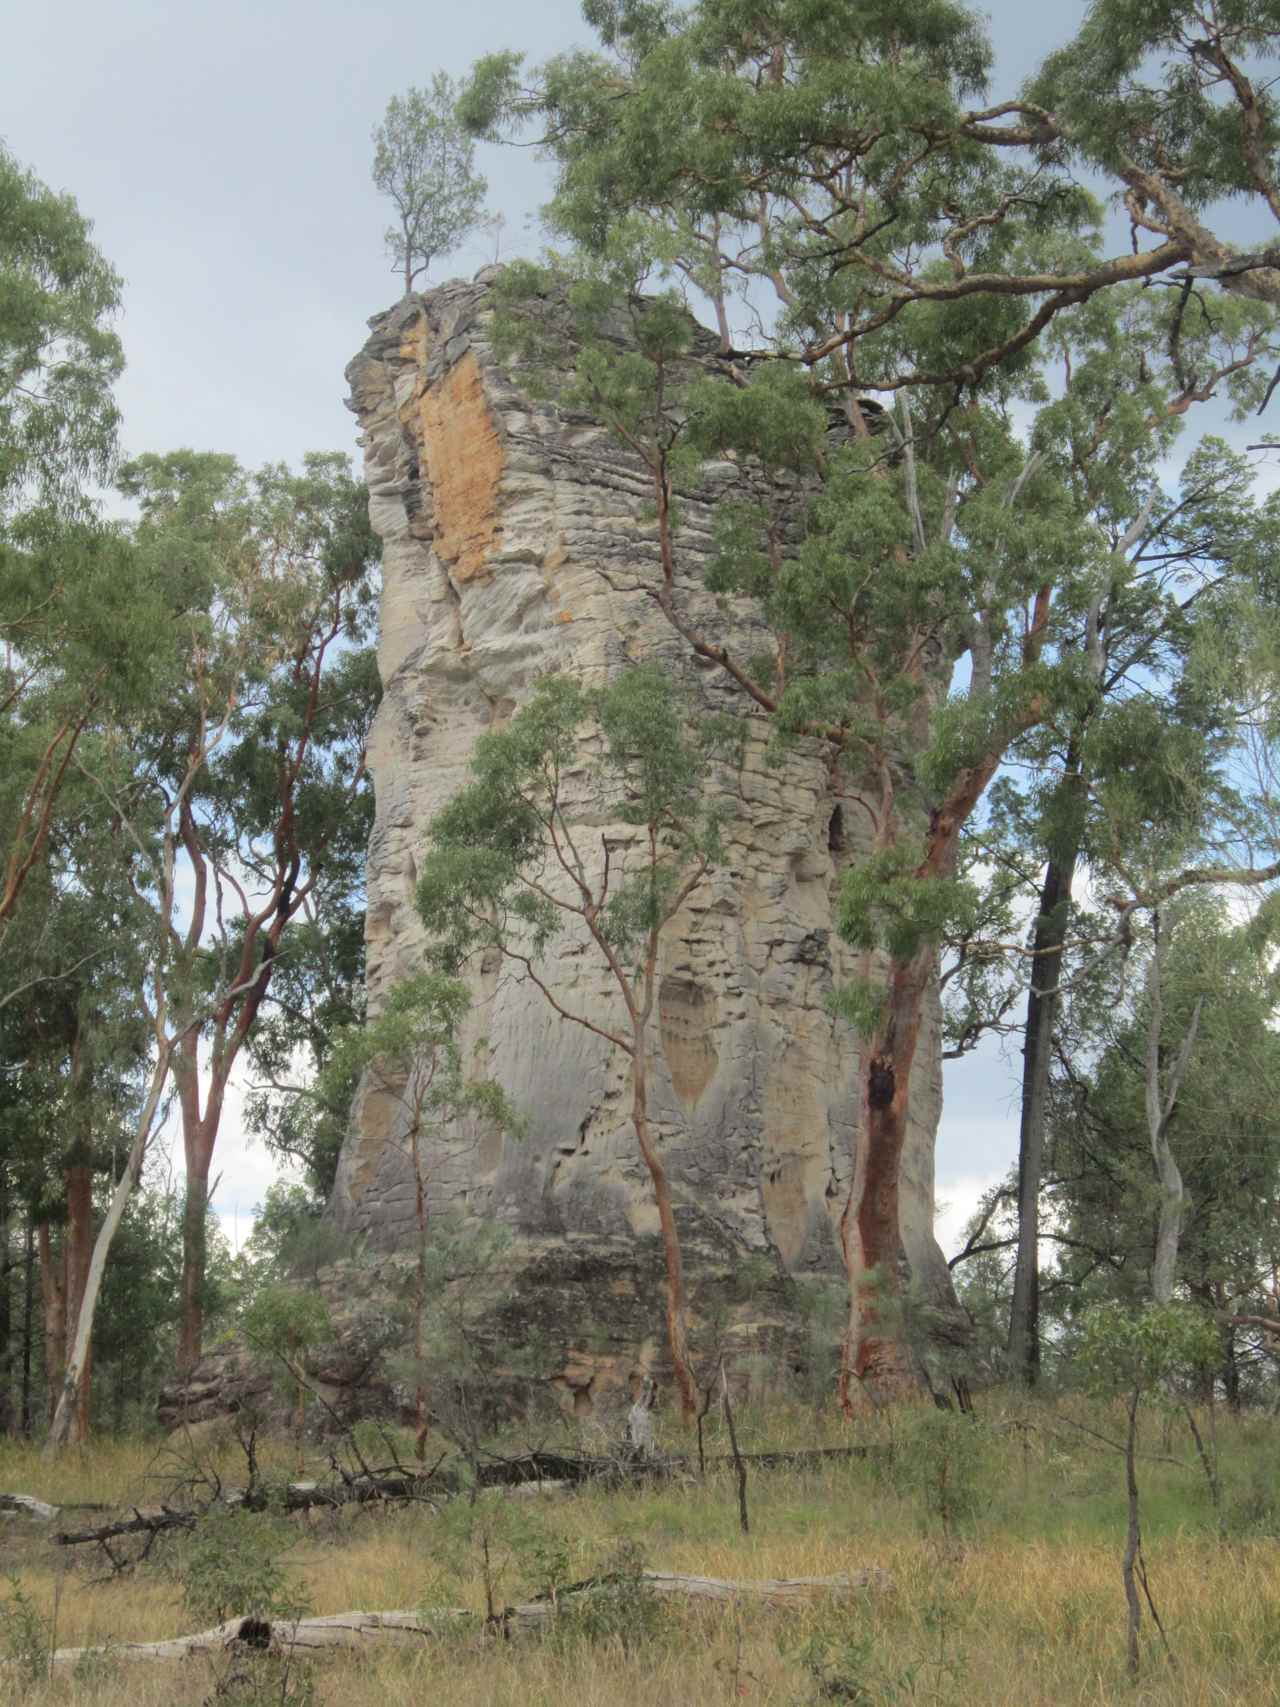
[{"x": 1049, "y": 941}]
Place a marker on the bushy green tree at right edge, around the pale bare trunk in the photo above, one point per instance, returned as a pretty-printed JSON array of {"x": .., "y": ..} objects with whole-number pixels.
[{"x": 1112, "y": 1208}]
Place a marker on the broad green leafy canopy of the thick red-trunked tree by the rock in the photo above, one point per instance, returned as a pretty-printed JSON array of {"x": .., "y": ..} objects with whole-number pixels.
[{"x": 881, "y": 562}]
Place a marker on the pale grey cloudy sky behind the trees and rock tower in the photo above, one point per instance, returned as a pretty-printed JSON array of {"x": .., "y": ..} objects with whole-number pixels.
[{"x": 223, "y": 153}]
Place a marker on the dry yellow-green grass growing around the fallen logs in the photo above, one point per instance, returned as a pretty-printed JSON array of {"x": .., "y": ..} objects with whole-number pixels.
[{"x": 1020, "y": 1605}]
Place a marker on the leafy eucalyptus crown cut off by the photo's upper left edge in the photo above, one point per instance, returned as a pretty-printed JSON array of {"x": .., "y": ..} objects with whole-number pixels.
[{"x": 76, "y": 620}]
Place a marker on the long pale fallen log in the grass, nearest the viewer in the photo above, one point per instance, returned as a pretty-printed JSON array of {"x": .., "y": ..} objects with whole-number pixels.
[{"x": 359, "y": 1629}]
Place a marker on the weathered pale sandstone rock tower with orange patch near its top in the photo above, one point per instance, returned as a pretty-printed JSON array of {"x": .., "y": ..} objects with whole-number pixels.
[{"x": 516, "y": 544}]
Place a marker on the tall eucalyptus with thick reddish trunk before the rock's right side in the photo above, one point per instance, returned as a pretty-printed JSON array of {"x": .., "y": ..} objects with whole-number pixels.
[{"x": 883, "y": 230}]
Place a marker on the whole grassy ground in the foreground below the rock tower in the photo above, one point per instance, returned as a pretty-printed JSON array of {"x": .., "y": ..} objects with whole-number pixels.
[{"x": 1003, "y": 1537}]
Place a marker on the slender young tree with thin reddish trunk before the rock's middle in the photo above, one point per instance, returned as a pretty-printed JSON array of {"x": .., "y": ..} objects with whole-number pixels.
[{"x": 513, "y": 871}]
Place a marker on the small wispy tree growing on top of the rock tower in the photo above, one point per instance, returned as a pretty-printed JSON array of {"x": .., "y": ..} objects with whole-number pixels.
[{"x": 424, "y": 163}]
